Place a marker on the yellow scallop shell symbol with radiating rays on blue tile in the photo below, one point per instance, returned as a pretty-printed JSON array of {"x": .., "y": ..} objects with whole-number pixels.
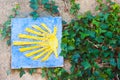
[{"x": 45, "y": 42}]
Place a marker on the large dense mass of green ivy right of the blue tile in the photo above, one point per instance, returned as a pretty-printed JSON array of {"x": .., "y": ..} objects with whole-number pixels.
[{"x": 92, "y": 45}]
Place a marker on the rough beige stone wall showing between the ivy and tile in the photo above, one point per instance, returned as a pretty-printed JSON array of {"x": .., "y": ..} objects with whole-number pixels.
[{"x": 5, "y": 11}]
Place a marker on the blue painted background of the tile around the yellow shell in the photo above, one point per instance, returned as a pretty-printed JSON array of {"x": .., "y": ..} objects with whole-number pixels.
[{"x": 18, "y": 58}]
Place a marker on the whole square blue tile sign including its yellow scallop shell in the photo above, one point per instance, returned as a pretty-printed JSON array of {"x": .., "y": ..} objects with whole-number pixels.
[{"x": 36, "y": 43}]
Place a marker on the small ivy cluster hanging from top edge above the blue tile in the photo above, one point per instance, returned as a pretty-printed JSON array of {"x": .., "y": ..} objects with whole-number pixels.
[{"x": 45, "y": 4}]
